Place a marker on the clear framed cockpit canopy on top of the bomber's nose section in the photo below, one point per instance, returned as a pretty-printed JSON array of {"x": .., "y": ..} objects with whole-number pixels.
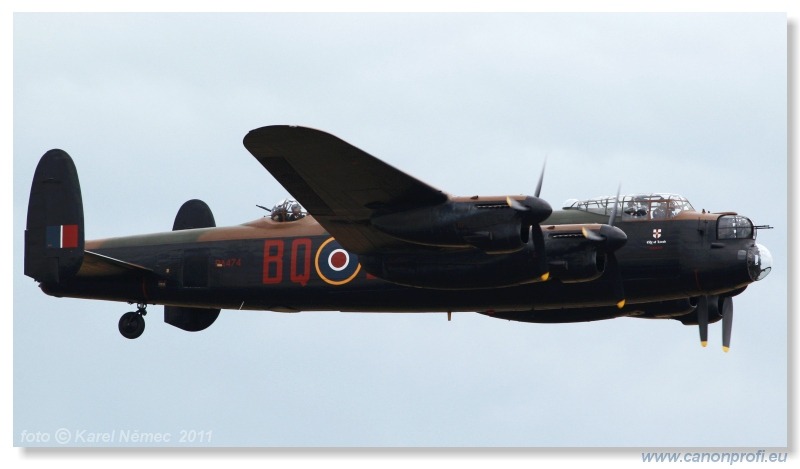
[{"x": 636, "y": 206}]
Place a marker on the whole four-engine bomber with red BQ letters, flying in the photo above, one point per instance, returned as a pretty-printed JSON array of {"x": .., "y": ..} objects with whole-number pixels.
[{"x": 375, "y": 239}]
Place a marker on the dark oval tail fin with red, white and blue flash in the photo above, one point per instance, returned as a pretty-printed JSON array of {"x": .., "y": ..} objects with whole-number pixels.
[{"x": 54, "y": 233}]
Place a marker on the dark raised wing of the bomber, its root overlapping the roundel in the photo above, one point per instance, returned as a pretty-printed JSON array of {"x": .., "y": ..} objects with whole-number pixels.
[{"x": 339, "y": 184}]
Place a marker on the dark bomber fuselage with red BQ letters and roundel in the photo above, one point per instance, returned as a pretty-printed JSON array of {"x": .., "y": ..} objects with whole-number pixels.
[{"x": 263, "y": 265}]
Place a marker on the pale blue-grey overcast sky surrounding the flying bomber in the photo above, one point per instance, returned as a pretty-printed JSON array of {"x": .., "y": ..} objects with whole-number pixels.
[{"x": 153, "y": 109}]
